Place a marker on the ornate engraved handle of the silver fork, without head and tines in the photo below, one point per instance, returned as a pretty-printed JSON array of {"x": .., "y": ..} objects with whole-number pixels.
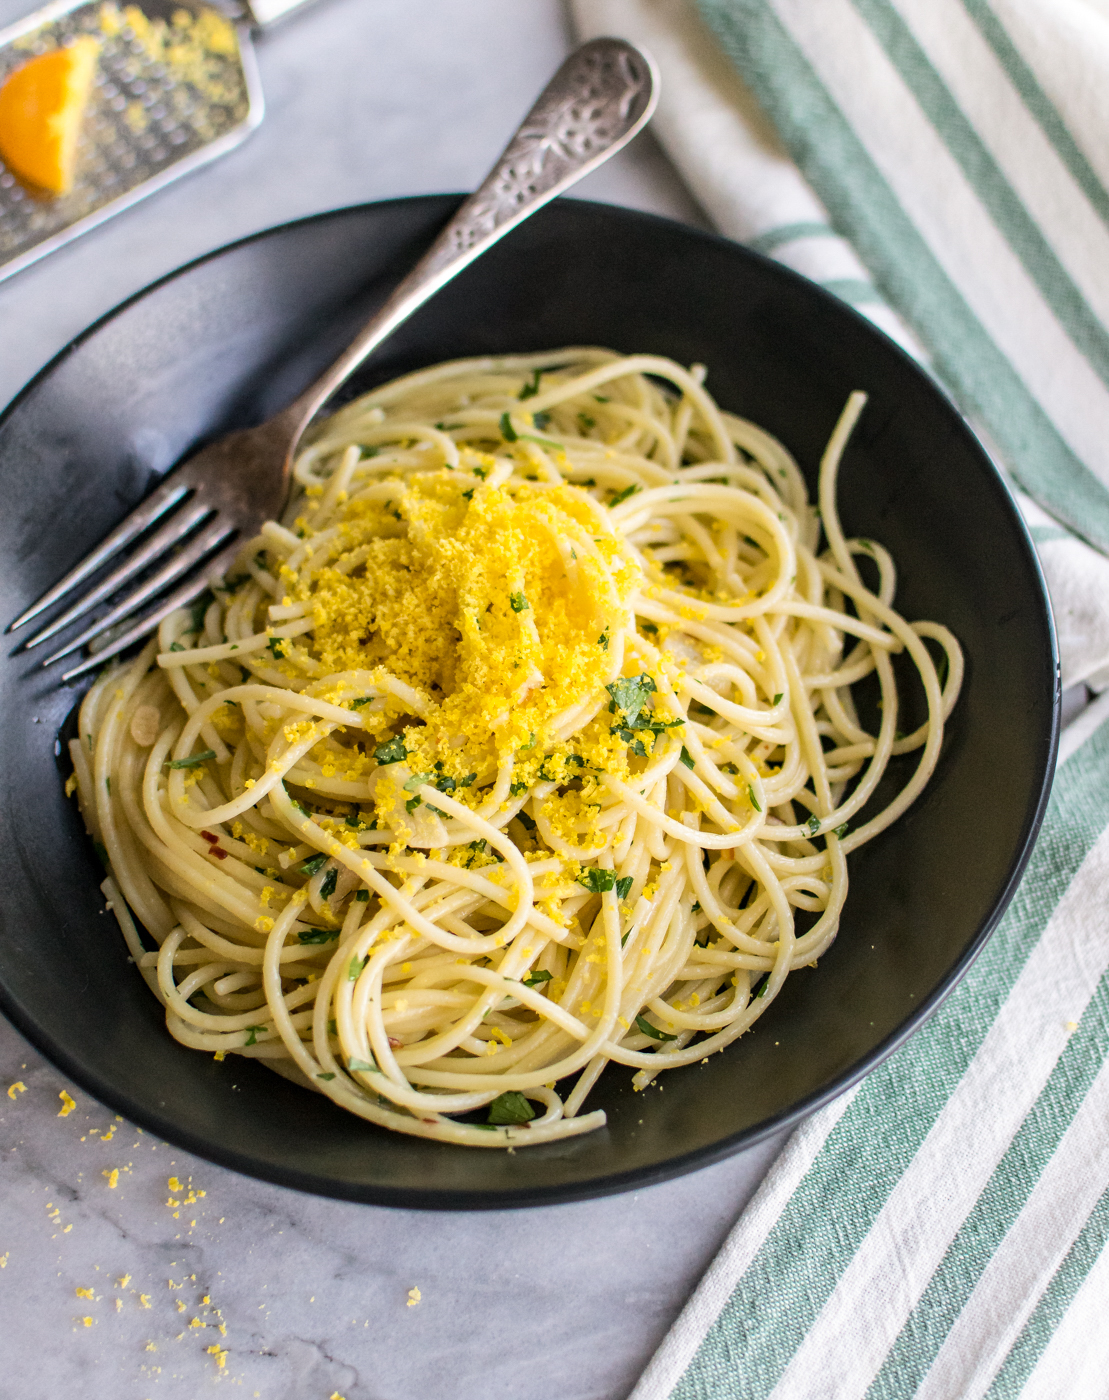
[{"x": 597, "y": 101}]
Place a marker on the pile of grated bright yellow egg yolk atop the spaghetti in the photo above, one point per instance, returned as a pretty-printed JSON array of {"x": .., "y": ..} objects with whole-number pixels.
[{"x": 491, "y": 603}]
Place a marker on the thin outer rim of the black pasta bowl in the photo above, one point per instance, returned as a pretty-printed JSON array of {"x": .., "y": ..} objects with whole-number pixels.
[{"x": 697, "y": 1158}]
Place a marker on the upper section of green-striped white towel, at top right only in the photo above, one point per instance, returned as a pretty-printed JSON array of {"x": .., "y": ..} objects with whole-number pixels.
[{"x": 942, "y": 166}]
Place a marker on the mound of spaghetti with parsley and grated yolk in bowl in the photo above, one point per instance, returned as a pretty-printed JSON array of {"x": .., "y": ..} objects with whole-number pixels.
[{"x": 517, "y": 748}]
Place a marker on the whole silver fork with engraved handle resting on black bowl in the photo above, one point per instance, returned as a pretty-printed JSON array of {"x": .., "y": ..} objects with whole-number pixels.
[{"x": 211, "y": 505}]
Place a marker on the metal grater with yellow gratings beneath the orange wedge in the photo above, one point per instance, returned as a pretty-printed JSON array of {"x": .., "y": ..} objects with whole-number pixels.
[{"x": 174, "y": 89}]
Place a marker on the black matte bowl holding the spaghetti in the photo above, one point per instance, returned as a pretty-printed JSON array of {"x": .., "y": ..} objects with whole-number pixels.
[{"x": 237, "y": 335}]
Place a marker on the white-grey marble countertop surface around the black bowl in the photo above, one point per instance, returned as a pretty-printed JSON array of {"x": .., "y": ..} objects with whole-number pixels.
[{"x": 106, "y": 1289}]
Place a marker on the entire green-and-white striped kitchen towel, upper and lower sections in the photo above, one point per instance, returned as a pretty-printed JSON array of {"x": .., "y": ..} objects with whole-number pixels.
[{"x": 940, "y": 1233}]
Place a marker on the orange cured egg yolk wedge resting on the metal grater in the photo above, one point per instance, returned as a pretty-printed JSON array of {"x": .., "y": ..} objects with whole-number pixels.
[{"x": 41, "y": 110}]
